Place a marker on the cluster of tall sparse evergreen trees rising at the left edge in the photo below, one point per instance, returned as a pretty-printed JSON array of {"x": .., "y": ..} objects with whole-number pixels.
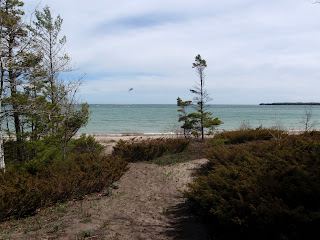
[{"x": 38, "y": 105}]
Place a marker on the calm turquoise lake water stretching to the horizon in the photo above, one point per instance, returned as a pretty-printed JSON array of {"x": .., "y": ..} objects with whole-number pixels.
[{"x": 112, "y": 119}]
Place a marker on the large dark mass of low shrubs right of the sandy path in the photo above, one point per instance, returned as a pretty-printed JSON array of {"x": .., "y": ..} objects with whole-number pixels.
[{"x": 261, "y": 190}]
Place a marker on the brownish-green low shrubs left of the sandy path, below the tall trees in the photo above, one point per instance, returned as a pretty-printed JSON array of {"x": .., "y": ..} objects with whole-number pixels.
[{"x": 36, "y": 184}]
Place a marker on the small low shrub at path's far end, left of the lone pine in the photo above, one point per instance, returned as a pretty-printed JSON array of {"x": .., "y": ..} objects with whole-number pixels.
[{"x": 145, "y": 150}]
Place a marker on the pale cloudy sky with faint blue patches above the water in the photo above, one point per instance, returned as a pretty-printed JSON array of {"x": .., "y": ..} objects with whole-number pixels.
[{"x": 256, "y": 51}]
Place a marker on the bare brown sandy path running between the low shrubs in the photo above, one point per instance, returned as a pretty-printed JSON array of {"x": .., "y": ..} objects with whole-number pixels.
[{"x": 148, "y": 204}]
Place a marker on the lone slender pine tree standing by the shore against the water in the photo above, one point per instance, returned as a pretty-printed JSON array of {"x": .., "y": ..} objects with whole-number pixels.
[{"x": 196, "y": 122}]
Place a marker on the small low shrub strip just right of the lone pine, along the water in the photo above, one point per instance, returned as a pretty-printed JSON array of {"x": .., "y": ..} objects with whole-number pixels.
[{"x": 246, "y": 135}]
